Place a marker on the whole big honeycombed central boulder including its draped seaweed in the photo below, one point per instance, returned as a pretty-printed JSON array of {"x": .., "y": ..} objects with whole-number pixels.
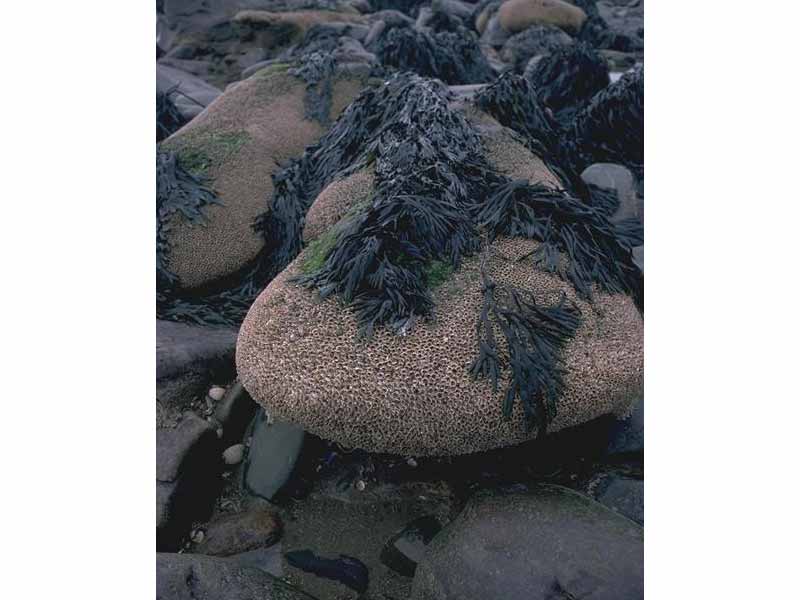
[{"x": 453, "y": 296}]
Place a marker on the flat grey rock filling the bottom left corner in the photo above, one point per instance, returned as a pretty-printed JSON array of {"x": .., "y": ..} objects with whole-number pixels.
[{"x": 192, "y": 577}]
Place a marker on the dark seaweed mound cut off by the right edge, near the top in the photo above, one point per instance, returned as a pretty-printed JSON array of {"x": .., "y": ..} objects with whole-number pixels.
[{"x": 611, "y": 127}]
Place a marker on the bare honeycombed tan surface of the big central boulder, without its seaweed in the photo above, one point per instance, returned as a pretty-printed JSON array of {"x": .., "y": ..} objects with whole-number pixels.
[{"x": 303, "y": 357}]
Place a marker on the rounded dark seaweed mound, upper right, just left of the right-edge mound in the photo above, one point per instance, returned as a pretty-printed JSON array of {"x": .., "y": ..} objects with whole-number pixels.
[{"x": 568, "y": 78}]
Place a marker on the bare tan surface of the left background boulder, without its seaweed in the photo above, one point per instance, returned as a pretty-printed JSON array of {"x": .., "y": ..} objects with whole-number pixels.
[{"x": 236, "y": 145}]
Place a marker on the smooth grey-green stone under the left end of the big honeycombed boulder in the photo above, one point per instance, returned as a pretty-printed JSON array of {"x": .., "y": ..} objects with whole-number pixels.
[{"x": 273, "y": 452}]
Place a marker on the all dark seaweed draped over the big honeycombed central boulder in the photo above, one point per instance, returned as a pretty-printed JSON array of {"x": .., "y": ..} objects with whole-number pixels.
[{"x": 435, "y": 195}]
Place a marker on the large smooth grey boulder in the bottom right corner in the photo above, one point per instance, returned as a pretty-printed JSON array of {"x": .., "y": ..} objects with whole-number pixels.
[{"x": 546, "y": 544}]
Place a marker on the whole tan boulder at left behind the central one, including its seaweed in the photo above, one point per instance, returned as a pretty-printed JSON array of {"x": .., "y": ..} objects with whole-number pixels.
[{"x": 218, "y": 177}]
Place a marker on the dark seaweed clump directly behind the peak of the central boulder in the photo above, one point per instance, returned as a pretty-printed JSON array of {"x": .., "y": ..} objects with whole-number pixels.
[{"x": 453, "y": 57}]
